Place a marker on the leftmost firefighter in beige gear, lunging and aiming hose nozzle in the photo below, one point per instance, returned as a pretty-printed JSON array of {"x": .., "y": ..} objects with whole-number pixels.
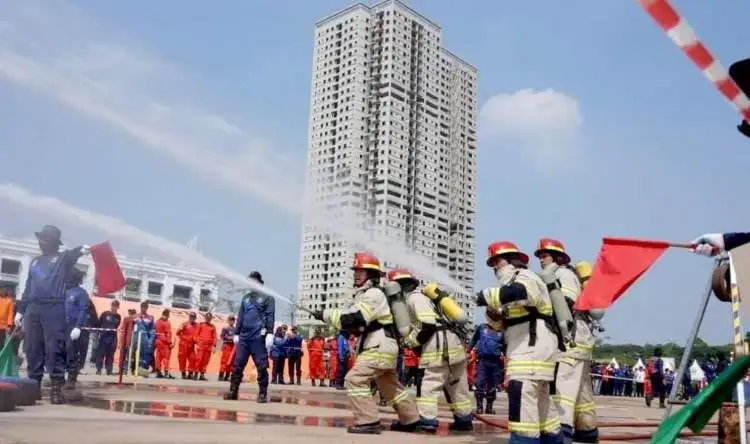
[{"x": 370, "y": 317}]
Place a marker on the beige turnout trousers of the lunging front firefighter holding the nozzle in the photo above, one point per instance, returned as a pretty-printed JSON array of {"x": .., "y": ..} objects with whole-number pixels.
[{"x": 364, "y": 406}]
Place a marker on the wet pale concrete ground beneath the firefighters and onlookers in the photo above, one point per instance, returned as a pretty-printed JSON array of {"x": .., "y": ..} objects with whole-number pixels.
[{"x": 155, "y": 411}]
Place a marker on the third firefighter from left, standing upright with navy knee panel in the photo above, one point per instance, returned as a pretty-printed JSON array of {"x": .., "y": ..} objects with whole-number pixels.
[{"x": 521, "y": 307}]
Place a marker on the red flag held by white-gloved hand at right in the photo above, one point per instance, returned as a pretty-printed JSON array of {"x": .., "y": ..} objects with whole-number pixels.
[{"x": 620, "y": 263}]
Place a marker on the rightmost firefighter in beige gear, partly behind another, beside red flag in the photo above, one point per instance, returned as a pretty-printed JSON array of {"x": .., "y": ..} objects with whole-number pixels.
[{"x": 573, "y": 395}]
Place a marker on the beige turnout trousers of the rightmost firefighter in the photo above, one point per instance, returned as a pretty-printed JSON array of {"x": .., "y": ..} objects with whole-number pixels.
[{"x": 574, "y": 397}]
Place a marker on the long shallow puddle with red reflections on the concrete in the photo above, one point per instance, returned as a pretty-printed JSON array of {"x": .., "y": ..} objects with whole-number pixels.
[{"x": 169, "y": 410}]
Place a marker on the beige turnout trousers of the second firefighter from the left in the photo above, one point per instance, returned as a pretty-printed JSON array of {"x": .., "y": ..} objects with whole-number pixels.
[{"x": 448, "y": 380}]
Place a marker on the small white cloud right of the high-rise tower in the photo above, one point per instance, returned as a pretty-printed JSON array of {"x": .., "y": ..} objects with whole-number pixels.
[{"x": 545, "y": 123}]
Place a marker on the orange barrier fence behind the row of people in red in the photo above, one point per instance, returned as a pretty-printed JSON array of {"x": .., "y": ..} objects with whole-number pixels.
[{"x": 177, "y": 318}]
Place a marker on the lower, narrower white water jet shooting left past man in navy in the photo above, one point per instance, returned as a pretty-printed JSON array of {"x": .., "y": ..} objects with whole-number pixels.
[{"x": 117, "y": 228}]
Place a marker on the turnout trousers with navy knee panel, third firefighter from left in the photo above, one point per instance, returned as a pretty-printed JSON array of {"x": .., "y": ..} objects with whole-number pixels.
[{"x": 532, "y": 415}]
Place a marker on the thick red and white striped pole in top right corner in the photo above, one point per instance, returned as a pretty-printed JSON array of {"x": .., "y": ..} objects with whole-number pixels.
[{"x": 684, "y": 36}]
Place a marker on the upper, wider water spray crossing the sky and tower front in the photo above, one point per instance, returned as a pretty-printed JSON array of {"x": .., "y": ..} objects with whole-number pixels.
[{"x": 53, "y": 50}]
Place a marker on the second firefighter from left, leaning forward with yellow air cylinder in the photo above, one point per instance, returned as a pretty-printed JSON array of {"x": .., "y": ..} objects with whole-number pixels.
[{"x": 441, "y": 355}]
